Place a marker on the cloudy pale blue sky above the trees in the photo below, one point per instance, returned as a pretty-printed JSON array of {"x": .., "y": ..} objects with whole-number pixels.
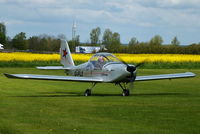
[{"x": 142, "y": 19}]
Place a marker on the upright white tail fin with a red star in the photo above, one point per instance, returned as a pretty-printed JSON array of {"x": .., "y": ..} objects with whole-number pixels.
[{"x": 65, "y": 55}]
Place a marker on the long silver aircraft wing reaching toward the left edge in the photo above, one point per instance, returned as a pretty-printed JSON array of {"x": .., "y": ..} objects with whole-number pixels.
[{"x": 54, "y": 77}]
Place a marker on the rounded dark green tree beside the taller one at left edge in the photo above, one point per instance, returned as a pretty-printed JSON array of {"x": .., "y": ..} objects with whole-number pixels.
[{"x": 20, "y": 42}]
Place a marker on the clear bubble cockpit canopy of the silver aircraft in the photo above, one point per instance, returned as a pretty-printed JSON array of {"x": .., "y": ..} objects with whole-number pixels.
[{"x": 98, "y": 60}]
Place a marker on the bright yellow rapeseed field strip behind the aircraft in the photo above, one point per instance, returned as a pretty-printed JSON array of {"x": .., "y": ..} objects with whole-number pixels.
[{"x": 130, "y": 58}]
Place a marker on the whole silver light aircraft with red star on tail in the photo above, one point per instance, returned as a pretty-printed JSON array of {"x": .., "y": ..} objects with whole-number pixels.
[{"x": 101, "y": 68}]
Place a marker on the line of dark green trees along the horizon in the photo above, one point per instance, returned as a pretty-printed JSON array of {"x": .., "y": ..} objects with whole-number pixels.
[{"x": 109, "y": 39}]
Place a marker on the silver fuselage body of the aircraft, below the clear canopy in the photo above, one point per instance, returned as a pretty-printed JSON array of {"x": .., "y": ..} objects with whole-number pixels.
[{"x": 110, "y": 72}]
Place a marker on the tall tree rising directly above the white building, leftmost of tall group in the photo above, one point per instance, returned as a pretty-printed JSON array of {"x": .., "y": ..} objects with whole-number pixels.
[{"x": 94, "y": 35}]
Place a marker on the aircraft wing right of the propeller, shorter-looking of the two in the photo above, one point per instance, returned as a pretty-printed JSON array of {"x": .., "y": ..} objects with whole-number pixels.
[{"x": 165, "y": 76}]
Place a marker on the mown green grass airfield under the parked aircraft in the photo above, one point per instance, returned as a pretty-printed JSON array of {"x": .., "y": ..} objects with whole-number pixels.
[{"x": 54, "y": 107}]
